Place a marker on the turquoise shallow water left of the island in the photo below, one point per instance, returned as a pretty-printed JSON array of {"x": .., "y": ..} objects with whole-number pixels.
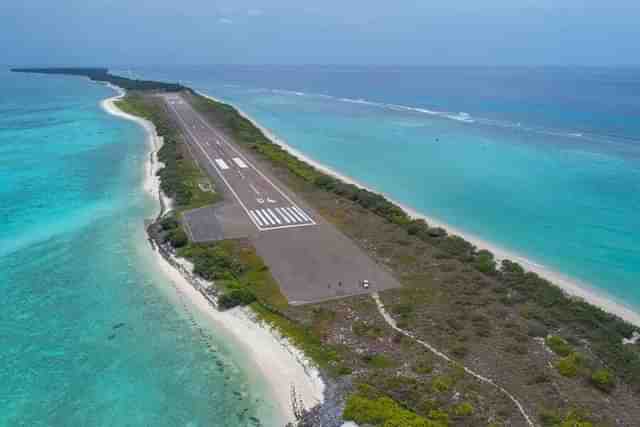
[{"x": 91, "y": 332}]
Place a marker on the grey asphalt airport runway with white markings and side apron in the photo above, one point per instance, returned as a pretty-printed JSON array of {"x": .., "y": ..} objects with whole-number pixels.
[{"x": 311, "y": 260}]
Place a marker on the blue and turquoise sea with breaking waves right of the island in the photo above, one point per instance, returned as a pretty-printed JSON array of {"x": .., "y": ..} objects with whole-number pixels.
[{"x": 543, "y": 162}]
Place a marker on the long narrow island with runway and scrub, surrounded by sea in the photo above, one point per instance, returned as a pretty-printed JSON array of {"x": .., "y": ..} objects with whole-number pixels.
[{"x": 409, "y": 325}]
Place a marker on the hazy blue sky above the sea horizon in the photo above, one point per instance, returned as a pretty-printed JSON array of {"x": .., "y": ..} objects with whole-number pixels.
[{"x": 397, "y": 32}]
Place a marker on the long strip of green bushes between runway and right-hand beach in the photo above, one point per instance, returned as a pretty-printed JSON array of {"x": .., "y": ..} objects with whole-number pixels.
[{"x": 546, "y": 303}]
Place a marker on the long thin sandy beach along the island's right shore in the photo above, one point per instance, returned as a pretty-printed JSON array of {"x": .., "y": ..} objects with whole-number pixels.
[{"x": 571, "y": 287}]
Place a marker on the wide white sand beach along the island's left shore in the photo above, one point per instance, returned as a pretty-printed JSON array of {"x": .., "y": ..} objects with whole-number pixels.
[{"x": 282, "y": 365}]
